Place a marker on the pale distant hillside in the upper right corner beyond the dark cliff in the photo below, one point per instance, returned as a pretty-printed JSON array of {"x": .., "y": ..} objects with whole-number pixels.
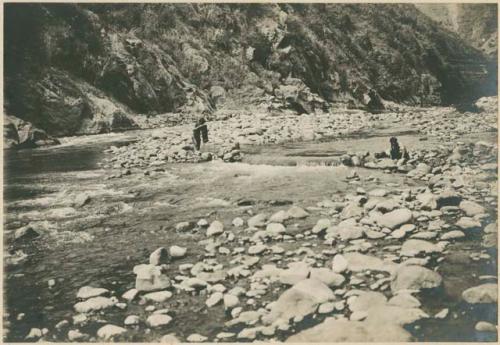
[{"x": 477, "y": 23}]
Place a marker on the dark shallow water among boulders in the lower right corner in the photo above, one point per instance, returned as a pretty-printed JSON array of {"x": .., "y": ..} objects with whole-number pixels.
[{"x": 459, "y": 273}]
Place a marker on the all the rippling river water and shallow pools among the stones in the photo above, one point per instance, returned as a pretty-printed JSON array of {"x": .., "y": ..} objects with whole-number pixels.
[{"x": 128, "y": 218}]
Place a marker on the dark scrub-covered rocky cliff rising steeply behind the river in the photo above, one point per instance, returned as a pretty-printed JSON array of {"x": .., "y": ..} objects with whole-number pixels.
[{"x": 77, "y": 68}]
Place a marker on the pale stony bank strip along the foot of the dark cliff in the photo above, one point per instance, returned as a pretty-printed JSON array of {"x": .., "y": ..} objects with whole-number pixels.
[{"x": 174, "y": 144}]
